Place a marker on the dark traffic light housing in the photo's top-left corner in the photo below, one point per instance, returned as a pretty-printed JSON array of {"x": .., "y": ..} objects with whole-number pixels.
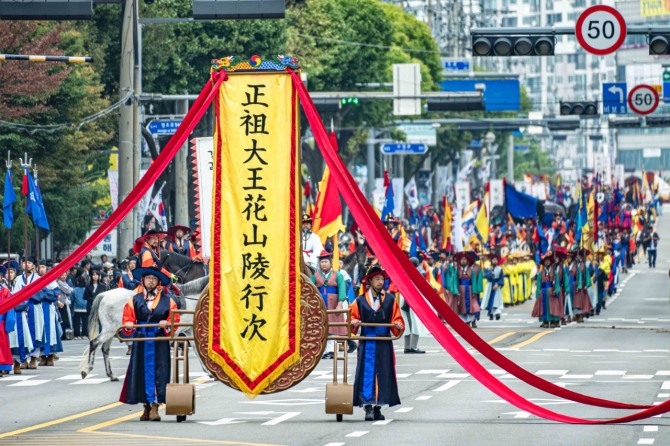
[{"x": 46, "y": 10}]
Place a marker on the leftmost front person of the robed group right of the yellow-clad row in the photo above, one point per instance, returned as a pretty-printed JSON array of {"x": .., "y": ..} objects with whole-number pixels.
[{"x": 547, "y": 306}]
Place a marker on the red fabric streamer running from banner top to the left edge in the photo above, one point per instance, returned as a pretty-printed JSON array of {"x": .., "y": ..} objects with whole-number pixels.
[{"x": 190, "y": 121}]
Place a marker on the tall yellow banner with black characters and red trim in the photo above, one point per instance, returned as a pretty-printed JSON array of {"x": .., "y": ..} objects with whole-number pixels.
[{"x": 254, "y": 326}]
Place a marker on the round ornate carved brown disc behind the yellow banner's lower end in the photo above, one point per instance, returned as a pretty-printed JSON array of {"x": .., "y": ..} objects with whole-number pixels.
[{"x": 313, "y": 329}]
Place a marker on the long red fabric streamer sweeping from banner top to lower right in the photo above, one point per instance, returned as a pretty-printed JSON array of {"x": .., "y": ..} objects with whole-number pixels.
[{"x": 400, "y": 267}]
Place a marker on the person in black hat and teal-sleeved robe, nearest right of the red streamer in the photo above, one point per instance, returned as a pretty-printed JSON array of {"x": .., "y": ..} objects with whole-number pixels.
[{"x": 469, "y": 287}]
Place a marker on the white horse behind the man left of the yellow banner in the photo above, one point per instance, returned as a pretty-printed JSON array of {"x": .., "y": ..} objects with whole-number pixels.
[{"x": 107, "y": 314}]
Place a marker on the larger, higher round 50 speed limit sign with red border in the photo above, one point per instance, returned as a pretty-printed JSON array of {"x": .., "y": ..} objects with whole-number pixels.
[{"x": 600, "y": 29}]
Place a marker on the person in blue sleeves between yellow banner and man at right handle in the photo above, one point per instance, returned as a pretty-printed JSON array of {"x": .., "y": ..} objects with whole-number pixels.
[{"x": 333, "y": 289}]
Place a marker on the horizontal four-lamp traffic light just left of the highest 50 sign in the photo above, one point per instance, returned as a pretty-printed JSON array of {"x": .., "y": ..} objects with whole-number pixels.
[{"x": 516, "y": 44}]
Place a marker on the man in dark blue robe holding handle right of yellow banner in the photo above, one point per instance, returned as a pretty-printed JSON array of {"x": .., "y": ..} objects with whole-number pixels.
[{"x": 375, "y": 381}]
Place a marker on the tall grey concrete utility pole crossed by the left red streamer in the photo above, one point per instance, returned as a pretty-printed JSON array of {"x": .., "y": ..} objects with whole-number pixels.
[{"x": 126, "y": 128}]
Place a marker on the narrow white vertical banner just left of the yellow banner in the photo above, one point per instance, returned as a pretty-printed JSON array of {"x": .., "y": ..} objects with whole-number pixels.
[{"x": 203, "y": 162}]
